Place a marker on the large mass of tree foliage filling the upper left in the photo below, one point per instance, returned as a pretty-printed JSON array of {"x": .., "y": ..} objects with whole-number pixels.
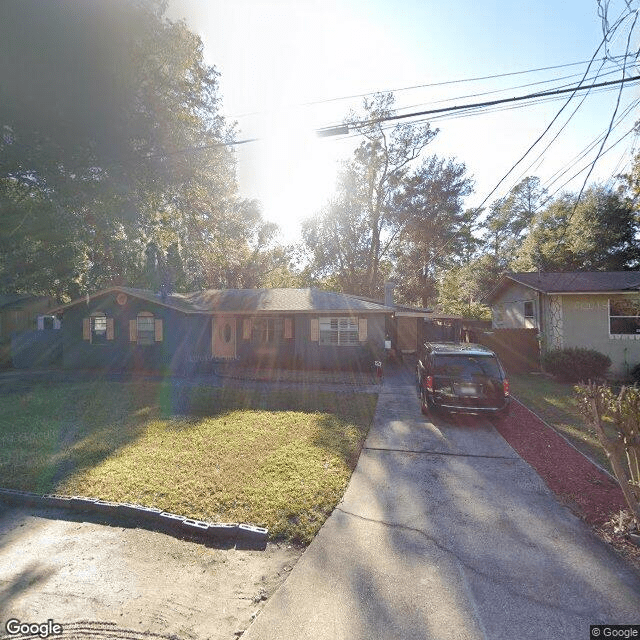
[{"x": 114, "y": 164}]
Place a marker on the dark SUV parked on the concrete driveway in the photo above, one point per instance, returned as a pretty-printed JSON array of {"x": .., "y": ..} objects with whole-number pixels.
[{"x": 462, "y": 377}]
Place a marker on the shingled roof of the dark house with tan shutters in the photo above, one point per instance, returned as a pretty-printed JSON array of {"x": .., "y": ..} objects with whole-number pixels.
[{"x": 252, "y": 301}]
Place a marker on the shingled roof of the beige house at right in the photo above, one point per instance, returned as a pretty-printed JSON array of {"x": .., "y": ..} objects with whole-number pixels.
[{"x": 572, "y": 282}]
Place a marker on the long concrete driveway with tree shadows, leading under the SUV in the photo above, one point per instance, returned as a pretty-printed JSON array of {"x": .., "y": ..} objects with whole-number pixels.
[{"x": 445, "y": 533}]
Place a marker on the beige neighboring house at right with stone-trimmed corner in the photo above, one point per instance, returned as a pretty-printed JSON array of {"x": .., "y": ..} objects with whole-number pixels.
[{"x": 594, "y": 309}]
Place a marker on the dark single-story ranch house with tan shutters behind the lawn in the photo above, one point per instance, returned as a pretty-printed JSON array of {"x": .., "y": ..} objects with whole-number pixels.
[{"x": 125, "y": 328}]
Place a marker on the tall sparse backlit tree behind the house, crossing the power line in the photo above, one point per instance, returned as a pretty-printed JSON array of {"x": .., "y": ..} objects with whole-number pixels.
[{"x": 364, "y": 201}]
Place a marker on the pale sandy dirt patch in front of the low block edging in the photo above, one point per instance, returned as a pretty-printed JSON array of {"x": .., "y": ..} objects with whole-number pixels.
[{"x": 98, "y": 580}]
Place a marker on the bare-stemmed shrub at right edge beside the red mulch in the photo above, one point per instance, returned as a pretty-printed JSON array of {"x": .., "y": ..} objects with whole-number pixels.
[{"x": 600, "y": 404}]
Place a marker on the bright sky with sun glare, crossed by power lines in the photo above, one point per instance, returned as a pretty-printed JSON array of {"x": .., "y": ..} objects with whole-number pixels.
[{"x": 289, "y": 67}]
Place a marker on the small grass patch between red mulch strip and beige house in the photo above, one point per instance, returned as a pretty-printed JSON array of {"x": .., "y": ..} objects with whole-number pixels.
[{"x": 556, "y": 404}]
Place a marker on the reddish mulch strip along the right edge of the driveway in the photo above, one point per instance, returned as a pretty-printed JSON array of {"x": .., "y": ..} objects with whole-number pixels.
[{"x": 579, "y": 484}]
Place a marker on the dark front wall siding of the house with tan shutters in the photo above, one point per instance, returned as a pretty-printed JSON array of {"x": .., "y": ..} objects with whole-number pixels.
[{"x": 186, "y": 345}]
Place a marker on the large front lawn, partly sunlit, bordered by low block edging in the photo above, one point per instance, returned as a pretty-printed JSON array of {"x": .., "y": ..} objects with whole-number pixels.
[{"x": 280, "y": 459}]
